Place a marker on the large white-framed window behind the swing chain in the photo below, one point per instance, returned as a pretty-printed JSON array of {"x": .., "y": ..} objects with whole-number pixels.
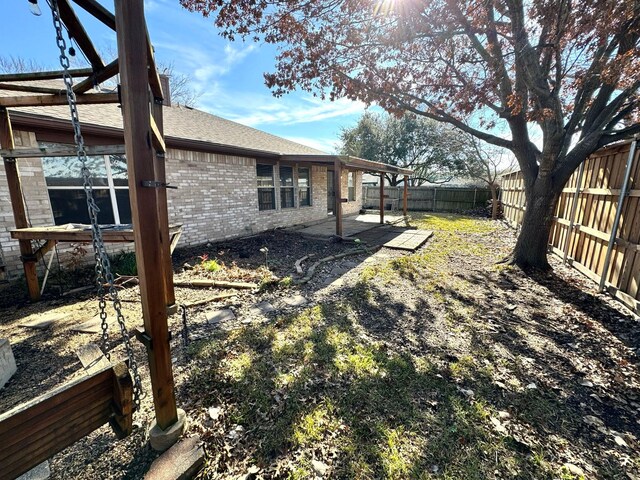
[{"x": 67, "y": 196}]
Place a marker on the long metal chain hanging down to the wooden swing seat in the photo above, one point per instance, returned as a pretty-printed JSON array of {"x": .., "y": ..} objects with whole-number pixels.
[{"x": 104, "y": 276}]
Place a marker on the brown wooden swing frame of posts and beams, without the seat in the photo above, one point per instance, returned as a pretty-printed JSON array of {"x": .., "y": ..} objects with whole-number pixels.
[{"x": 141, "y": 99}]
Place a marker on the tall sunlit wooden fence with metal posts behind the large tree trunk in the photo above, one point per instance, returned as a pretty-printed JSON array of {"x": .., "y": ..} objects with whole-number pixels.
[{"x": 584, "y": 232}]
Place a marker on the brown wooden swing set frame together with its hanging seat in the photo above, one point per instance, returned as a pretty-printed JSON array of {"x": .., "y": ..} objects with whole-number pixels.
[{"x": 44, "y": 426}]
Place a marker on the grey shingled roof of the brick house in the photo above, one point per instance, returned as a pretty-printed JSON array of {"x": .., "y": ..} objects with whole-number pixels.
[{"x": 185, "y": 128}]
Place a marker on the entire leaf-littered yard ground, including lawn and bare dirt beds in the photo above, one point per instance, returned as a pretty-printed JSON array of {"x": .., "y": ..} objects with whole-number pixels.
[{"x": 436, "y": 364}]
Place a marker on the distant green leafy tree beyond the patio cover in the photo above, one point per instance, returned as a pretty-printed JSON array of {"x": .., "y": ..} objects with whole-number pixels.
[{"x": 435, "y": 151}]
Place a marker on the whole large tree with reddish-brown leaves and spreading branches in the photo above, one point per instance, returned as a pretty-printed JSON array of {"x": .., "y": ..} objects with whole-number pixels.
[{"x": 565, "y": 70}]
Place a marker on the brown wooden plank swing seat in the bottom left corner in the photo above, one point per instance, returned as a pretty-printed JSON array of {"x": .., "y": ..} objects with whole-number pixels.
[{"x": 38, "y": 429}]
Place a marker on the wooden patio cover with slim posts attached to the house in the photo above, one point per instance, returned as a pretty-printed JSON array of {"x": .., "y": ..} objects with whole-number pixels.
[{"x": 341, "y": 162}]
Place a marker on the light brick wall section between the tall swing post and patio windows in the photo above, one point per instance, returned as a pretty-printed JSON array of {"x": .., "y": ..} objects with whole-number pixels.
[{"x": 217, "y": 197}]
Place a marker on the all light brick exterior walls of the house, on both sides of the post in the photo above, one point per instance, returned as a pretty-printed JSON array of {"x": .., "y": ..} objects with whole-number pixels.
[{"x": 216, "y": 199}]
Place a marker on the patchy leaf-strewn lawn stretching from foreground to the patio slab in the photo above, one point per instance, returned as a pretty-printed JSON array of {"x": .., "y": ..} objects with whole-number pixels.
[{"x": 438, "y": 364}]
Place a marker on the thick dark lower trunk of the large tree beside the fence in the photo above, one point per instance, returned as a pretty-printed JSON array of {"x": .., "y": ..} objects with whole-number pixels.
[{"x": 531, "y": 247}]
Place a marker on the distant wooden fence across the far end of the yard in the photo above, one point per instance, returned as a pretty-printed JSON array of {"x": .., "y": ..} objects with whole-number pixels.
[{"x": 429, "y": 199}]
